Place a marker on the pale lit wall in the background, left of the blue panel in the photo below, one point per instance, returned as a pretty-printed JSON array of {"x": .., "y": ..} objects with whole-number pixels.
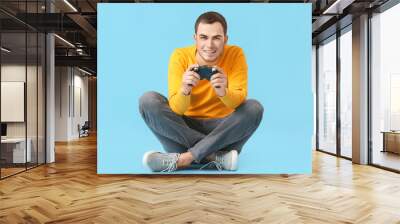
[{"x": 70, "y": 84}]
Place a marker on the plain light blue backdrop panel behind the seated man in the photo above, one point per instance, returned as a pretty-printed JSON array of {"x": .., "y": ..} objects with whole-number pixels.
[{"x": 134, "y": 45}]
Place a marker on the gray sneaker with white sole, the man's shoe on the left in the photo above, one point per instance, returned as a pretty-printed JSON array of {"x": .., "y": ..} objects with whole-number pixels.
[{"x": 161, "y": 162}]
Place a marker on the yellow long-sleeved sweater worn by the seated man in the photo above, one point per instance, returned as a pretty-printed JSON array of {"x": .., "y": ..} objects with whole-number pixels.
[{"x": 203, "y": 102}]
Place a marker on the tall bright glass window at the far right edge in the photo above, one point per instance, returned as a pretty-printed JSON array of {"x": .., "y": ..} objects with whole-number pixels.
[{"x": 386, "y": 88}]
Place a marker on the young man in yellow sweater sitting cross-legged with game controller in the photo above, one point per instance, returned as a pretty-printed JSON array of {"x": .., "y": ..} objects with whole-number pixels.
[{"x": 202, "y": 120}]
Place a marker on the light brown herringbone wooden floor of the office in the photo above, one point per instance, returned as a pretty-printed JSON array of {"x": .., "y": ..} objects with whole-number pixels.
[{"x": 70, "y": 191}]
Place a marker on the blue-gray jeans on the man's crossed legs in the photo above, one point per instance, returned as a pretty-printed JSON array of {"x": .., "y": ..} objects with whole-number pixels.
[{"x": 201, "y": 137}]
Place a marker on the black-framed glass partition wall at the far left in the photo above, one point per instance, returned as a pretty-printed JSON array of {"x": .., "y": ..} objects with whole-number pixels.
[{"x": 22, "y": 64}]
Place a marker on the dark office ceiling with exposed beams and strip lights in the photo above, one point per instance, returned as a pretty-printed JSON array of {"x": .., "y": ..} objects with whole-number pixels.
[{"x": 76, "y": 22}]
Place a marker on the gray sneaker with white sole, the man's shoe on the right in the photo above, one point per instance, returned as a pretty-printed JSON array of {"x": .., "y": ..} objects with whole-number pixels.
[{"x": 223, "y": 160}]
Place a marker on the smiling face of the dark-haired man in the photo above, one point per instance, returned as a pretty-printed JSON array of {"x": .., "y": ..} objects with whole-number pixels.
[{"x": 210, "y": 41}]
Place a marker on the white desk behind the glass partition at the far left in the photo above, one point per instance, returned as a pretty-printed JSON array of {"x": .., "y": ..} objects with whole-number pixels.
[{"x": 13, "y": 150}]
